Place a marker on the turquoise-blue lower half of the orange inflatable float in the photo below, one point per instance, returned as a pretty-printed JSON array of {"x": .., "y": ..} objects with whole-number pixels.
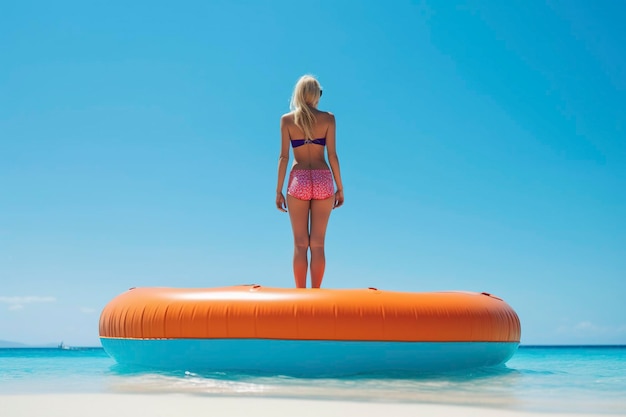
[{"x": 306, "y": 357}]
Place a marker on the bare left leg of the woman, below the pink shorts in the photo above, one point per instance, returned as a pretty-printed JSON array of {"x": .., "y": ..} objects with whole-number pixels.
[{"x": 299, "y": 215}]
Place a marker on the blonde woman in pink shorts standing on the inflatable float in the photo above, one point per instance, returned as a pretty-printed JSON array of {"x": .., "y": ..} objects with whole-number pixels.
[{"x": 311, "y": 194}]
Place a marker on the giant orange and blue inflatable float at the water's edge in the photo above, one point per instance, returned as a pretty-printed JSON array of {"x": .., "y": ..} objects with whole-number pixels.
[{"x": 307, "y": 332}]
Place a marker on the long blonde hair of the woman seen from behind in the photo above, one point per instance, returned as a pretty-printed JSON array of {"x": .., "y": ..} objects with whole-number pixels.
[{"x": 306, "y": 93}]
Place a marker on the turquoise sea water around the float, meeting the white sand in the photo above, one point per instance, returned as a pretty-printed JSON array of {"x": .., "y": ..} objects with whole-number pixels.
[{"x": 567, "y": 379}]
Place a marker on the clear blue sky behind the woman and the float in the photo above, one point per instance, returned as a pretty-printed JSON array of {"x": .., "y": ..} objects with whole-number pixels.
[{"x": 481, "y": 144}]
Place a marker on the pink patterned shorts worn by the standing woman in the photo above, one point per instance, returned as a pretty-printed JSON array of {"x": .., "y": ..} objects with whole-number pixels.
[{"x": 311, "y": 184}]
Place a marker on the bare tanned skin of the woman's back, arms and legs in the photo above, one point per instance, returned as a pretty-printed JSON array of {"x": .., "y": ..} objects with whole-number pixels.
[{"x": 309, "y": 219}]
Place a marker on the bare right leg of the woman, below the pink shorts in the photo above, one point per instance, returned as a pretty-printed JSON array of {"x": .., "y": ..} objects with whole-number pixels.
[{"x": 320, "y": 213}]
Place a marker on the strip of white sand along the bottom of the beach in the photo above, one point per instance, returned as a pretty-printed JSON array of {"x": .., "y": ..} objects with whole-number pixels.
[{"x": 170, "y": 405}]
